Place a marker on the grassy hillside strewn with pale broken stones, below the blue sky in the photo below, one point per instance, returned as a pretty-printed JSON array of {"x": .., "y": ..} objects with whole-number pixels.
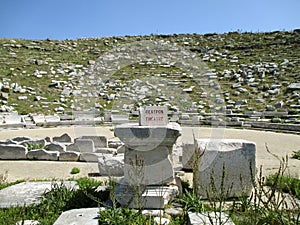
[{"x": 255, "y": 72}]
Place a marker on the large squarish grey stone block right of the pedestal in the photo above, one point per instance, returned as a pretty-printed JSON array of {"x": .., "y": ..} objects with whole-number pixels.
[{"x": 228, "y": 162}]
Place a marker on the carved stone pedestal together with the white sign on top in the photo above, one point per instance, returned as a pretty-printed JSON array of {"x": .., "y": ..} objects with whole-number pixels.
[{"x": 149, "y": 177}]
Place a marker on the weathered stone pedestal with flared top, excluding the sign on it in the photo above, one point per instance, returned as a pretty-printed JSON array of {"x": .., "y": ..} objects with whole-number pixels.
[{"x": 148, "y": 160}]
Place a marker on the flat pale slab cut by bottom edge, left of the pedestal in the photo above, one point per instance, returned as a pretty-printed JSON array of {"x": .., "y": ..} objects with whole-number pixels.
[{"x": 82, "y": 216}]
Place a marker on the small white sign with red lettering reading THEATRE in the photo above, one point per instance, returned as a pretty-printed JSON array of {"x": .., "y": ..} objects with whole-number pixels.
[{"x": 153, "y": 116}]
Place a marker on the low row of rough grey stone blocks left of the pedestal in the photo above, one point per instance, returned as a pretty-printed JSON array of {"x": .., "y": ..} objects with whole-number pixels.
[{"x": 62, "y": 148}]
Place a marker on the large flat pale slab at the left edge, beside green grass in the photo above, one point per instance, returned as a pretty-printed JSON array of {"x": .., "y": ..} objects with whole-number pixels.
[{"x": 27, "y": 193}]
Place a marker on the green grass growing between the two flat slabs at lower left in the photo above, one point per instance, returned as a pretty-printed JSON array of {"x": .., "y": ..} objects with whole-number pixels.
[{"x": 58, "y": 200}]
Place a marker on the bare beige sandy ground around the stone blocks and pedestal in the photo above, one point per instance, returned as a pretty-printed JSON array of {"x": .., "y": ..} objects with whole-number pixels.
[{"x": 280, "y": 144}]
